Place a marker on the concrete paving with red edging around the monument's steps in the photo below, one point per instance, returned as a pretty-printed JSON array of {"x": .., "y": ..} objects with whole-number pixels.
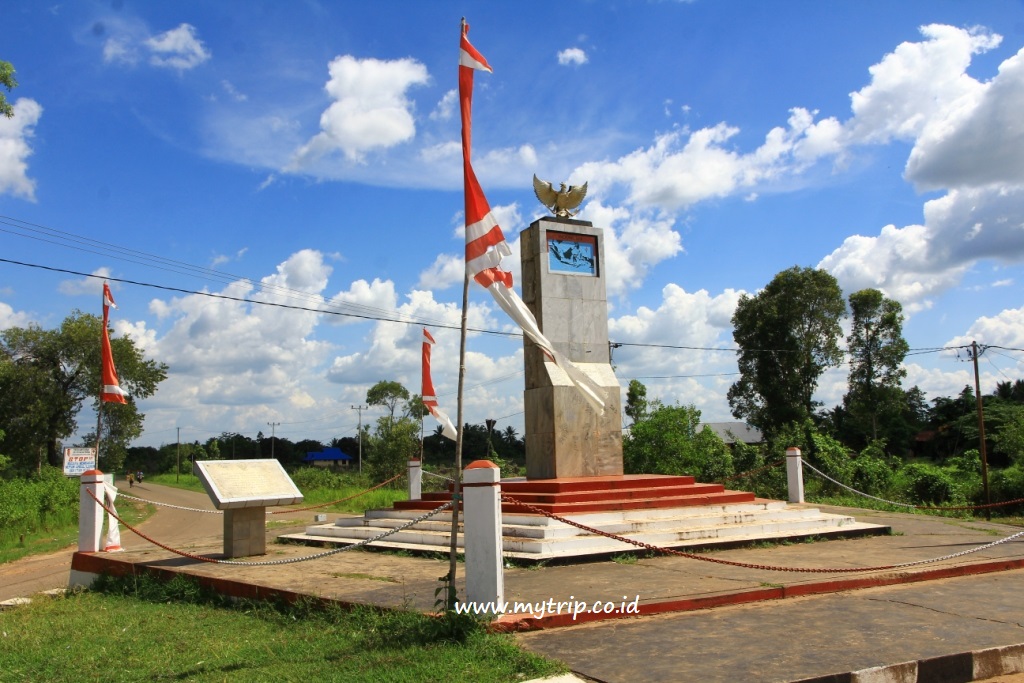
[{"x": 755, "y": 622}]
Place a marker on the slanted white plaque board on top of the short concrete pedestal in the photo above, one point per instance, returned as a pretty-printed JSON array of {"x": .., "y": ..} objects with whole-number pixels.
[{"x": 247, "y": 484}]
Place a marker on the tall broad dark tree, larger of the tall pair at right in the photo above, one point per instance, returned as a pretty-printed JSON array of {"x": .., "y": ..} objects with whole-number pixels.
[{"x": 788, "y": 336}]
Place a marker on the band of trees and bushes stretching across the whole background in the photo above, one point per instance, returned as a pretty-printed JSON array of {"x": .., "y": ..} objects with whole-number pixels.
[{"x": 788, "y": 335}]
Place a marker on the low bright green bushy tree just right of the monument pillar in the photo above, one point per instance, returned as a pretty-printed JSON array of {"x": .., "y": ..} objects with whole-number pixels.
[{"x": 670, "y": 441}]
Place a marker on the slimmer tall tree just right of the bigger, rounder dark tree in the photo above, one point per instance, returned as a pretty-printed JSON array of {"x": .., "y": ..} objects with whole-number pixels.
[{"x": 877, "y": 351}]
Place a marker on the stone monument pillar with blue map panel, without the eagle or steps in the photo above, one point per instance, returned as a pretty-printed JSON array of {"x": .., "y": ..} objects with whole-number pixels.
[{"x": 564, "y": 286}]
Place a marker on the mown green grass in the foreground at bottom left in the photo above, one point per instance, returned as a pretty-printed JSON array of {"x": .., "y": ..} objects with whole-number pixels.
[{"x": 142, "y": 630}]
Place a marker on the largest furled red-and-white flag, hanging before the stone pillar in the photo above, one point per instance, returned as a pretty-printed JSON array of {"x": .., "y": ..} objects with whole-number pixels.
[{"x": 486, "y": 246}]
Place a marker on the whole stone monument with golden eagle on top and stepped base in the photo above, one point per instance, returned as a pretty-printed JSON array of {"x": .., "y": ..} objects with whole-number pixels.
[{"x": 574, "y": 449}]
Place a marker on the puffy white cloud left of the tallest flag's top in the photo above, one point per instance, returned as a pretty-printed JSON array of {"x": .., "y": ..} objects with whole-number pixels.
[{"x": 370, "y": 110}]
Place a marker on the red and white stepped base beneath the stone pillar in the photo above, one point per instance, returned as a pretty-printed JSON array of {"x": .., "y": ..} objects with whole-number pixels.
[{"x": 662, "y": 510}]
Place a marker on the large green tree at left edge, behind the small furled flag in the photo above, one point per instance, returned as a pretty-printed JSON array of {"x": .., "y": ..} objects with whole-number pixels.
[{"x": 47, "y": 376}]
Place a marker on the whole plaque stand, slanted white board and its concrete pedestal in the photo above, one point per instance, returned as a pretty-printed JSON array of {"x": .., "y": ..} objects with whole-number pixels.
[{"x": 244, "y": 489}]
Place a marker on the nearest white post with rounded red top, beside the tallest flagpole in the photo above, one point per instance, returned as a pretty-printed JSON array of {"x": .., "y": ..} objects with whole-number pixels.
[{"x": 485, "y": 570}]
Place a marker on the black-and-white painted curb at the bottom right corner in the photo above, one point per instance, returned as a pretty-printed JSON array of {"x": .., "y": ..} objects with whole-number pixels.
[{"x": 974, "y": 666}]
